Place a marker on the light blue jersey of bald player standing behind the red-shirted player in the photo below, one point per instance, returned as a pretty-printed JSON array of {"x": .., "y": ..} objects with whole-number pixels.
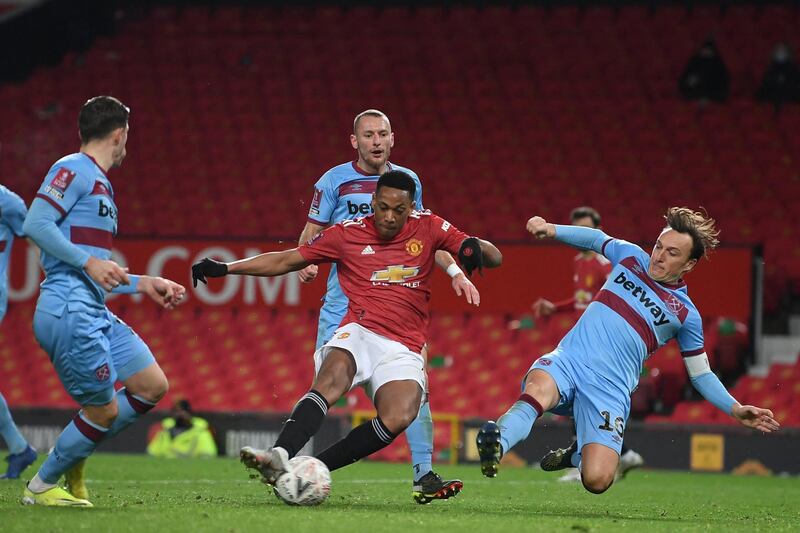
[{"x": 344, "y": 193}]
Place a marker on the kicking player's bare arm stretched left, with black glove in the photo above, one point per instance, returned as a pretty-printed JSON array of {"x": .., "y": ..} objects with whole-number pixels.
[{"x": 267, "y": 264}]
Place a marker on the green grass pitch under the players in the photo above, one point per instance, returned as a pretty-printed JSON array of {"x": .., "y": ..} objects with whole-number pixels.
[{"x": 137, "y": 493}]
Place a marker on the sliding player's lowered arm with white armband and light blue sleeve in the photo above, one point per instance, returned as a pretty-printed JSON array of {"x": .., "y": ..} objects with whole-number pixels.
[{"x": 712, "y": 389}]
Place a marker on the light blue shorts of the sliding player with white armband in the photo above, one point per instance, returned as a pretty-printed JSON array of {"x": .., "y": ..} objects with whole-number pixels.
[{"x": 600, "y": 408}]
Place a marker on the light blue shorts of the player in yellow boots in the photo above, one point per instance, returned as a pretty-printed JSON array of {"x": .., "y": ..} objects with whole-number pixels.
[{"x": 90, "y": 349}]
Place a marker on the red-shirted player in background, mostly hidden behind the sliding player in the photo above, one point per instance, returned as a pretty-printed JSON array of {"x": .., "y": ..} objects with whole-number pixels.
[{"x": 591, "y": 270}]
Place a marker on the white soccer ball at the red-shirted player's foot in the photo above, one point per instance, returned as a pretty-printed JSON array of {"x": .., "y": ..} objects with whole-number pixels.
[{"x": 307, "y": 482}]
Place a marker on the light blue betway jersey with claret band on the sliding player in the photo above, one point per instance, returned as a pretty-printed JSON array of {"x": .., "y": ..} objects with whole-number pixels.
[{"x": 632, "y": 315}]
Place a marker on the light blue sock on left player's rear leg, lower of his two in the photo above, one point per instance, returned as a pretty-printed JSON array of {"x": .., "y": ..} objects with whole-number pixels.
[{"x": 76, "y": 442}]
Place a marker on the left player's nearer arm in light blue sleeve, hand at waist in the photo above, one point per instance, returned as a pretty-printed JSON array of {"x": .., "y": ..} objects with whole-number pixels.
[{"x": 40, "y": 226}]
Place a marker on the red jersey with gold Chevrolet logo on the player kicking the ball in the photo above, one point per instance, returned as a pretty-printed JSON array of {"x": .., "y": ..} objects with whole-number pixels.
[{"x": 387, "y": 282}]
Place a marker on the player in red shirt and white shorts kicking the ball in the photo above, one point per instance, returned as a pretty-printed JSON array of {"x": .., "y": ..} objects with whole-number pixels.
[{"x": 384, "y": 264}]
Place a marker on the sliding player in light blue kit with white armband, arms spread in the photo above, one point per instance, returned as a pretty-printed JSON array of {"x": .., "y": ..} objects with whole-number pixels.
[{"x": 596, "y": 366}]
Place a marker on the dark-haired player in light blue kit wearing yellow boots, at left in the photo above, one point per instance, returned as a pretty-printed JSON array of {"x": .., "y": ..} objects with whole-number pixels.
[{"x": 73, "y": 219}]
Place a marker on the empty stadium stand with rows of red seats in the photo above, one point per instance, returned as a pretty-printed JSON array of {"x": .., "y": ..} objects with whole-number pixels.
[{"x": 236, "y": 111}]
